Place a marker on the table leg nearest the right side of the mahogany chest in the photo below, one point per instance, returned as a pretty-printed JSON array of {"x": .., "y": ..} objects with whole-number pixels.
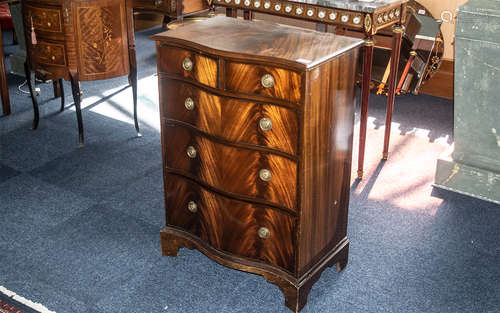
[{"x": 365, "y": 97}]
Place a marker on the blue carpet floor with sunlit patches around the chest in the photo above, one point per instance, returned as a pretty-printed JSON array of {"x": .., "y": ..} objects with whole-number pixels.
[{"x": 79, "y": 228}]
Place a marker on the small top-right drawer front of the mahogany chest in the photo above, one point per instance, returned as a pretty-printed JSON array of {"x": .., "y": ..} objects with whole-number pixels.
[{"x": 265, "y": 81}]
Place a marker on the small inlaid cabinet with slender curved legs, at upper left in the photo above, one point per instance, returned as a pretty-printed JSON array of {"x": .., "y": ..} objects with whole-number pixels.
[{"x": 78, "y": 40}]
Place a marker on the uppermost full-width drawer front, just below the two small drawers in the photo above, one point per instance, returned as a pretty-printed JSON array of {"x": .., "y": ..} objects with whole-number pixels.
[{"x": 235, "y": 120}]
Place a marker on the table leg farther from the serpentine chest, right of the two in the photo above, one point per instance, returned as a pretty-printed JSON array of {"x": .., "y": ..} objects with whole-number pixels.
[{"x": 396, "y": 49}]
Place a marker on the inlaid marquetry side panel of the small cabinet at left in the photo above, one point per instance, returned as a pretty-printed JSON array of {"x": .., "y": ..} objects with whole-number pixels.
[{"x": 102, "y": 50}]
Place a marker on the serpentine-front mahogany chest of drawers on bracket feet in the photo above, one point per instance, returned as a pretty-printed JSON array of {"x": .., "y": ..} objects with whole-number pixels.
[{"x": 257, "y": 125}]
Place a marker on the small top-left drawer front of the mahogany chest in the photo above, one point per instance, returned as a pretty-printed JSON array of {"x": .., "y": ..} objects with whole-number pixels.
[{"x": 187, "y": 64}]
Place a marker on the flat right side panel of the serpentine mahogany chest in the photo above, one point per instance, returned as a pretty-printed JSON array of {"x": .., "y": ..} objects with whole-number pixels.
[{"x": 326, "y": 159}]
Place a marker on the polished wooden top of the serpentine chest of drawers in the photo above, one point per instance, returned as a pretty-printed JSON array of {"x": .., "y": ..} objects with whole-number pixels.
[{"x": 260, "y": 41}]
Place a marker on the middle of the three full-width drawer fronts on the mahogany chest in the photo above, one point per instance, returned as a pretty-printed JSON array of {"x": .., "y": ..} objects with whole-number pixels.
[{"x": 238, "y": 171}]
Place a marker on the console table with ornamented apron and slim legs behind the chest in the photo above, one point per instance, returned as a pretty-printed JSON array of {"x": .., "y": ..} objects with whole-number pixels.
[{"x": 363, "y": 16}]
